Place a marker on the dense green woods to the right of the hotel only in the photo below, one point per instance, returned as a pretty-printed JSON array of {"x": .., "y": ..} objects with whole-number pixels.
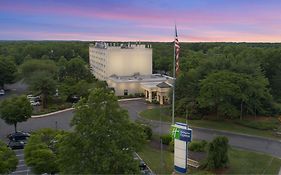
[{"x": 224, "y": 79}]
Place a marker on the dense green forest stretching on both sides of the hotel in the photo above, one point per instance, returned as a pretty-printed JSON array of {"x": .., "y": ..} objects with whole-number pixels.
[{"x": 226, "y": 80}]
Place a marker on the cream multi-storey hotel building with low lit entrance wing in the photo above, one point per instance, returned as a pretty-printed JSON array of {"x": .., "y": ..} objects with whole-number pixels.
[{"x": 128, "y": 69}]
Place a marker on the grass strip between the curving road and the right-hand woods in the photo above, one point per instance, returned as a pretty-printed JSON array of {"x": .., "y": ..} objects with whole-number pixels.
[{"x": 157, "y": 113}]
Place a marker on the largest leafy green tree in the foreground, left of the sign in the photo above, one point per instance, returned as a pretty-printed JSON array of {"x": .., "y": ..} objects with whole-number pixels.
[{"x": 104, "y": 139}]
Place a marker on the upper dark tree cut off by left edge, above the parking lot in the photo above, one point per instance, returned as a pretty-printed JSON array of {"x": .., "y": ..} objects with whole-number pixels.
[{"x": 7, "y": 71}]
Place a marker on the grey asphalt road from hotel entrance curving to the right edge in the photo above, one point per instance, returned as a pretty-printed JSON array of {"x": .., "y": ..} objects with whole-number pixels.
[{"x": 257, "y": 144}]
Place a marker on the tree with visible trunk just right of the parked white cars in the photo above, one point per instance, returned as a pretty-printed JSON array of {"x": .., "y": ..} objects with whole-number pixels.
[{"x": 44, "y": 84}]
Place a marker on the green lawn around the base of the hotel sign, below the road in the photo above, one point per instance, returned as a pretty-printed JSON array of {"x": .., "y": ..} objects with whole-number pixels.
[{"x": 241, "y": 162}]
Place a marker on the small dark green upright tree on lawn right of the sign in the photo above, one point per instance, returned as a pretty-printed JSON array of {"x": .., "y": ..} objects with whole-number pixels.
[{"x": 217, "y": 153}]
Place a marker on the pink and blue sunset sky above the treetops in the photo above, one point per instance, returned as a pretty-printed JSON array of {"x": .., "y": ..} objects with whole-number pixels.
[{"x": 141, "y": 20}]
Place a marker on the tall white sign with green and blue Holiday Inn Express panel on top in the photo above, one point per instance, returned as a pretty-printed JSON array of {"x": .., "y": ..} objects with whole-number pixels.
[{"x": 181, "y": 135}]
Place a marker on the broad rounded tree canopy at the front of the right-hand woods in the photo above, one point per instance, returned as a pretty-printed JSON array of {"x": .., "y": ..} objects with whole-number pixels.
[{"x": 225, "y": 90}]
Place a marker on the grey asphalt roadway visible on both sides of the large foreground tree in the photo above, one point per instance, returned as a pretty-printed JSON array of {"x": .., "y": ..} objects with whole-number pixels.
[{"x": 62, "y": 121}]
